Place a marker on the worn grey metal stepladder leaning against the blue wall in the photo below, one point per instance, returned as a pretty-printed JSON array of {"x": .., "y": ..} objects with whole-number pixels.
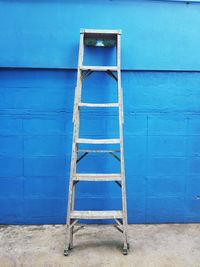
[{"x": 99, "y": 38}]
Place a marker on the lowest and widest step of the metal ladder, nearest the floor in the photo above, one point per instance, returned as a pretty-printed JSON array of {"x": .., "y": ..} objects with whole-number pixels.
[{"x": 90, "y": 214}]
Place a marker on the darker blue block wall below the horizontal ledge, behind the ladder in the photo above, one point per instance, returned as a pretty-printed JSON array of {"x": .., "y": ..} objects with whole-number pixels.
[{"x": 161, "y": 146}]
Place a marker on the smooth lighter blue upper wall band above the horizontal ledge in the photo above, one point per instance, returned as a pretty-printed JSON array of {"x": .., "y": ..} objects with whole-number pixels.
[{"x": 157, "y": 35}]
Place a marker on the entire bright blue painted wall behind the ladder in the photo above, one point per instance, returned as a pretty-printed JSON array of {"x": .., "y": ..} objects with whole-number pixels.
[{"x": 162, "y": 120}]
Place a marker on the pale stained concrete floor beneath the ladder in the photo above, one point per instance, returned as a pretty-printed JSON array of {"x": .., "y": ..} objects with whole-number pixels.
[{"x": 169, "y": 245}]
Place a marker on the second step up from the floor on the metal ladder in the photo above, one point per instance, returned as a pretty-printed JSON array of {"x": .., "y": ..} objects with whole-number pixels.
[{"x": 97, "y": 177}]
